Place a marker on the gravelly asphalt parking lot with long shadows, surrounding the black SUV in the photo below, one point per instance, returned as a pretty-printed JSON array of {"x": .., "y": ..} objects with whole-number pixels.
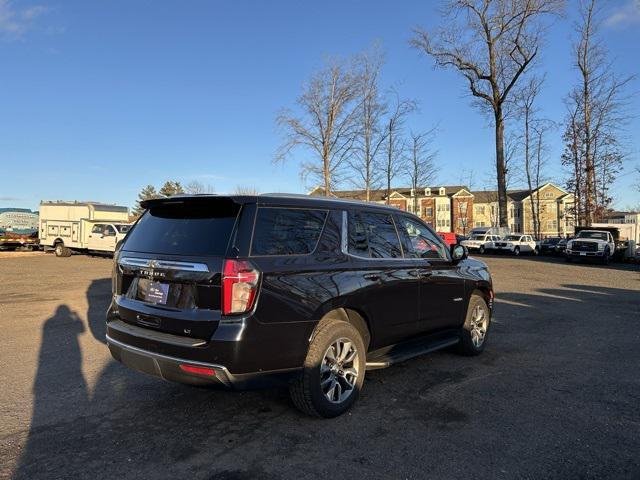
[{"x": 555, "y": 395}]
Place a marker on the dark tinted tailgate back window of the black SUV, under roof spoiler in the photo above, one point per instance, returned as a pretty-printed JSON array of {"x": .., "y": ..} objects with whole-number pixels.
[{"x": 185, "y": 228}]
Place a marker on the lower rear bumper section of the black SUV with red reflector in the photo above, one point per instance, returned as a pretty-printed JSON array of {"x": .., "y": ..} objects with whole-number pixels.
[{"x": 177, "y": 369}]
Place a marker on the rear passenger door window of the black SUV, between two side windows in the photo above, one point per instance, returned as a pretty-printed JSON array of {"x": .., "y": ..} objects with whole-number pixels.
[{"x": 373, "y": 235}]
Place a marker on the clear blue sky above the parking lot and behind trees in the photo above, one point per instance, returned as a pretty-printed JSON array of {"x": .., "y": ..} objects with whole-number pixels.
[{"x": 98, "y": 99}]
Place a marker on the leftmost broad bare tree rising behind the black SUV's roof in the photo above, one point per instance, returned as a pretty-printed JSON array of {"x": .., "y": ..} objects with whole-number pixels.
[{"x": 327, "y": 125}]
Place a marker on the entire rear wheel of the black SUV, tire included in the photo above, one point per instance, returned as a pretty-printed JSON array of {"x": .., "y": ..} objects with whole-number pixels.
[{"x": 318, "y": 381}]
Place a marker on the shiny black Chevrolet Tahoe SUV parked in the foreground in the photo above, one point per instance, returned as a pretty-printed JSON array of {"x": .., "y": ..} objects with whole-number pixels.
[{"x": 243, "y": 291}]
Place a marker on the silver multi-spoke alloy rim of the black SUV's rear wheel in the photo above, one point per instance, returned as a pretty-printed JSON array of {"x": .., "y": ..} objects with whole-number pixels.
[{"x": 339, "y": 370}]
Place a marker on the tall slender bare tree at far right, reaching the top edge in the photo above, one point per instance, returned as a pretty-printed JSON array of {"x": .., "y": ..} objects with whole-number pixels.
[{"x": 592, "y": 134}]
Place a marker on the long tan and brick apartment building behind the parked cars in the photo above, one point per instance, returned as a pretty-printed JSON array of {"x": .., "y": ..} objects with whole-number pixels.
[{"x": 458, "y": 209}]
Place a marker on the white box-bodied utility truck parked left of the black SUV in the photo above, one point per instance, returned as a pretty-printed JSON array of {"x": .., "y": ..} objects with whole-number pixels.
[{"x": 68, "y": 227}]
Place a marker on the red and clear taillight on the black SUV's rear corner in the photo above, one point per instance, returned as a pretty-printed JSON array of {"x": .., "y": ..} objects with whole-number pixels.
[{"x": 239, "y": 286}]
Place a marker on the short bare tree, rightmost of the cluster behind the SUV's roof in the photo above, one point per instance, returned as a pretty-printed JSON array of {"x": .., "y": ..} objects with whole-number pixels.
[{"x": 419, "y": 164}]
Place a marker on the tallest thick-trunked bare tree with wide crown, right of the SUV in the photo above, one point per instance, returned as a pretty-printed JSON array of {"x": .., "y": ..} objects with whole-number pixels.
[{"x": 491, "y": 43}]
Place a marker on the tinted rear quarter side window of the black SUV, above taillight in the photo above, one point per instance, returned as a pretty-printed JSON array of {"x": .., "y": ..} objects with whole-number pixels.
[{"x": 287, "y": 231}]
